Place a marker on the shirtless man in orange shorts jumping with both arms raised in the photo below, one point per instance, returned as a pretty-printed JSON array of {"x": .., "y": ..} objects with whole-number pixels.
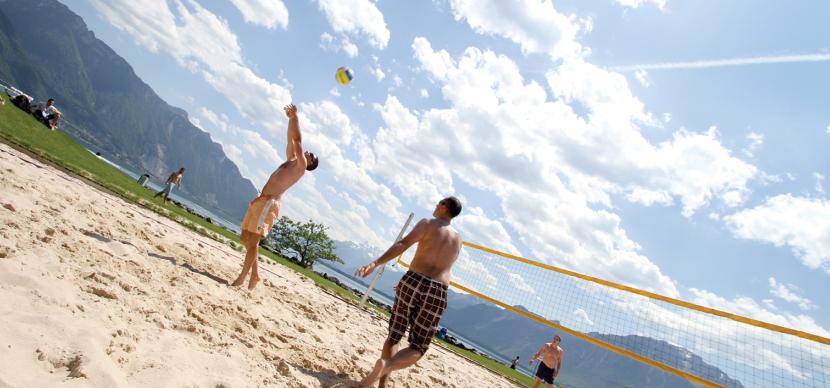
[{"x": 263, "y": 210}]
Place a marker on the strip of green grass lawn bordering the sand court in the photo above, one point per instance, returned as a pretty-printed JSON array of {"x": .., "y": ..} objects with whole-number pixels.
[{"x": 23, "y": 132}]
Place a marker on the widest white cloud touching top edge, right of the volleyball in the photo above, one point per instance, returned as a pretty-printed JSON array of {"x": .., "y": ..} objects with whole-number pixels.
[{"x": 533, "y": 24}]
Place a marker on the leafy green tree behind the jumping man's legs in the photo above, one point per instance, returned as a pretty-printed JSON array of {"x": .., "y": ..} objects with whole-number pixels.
[{"x": 304, "y": 243}]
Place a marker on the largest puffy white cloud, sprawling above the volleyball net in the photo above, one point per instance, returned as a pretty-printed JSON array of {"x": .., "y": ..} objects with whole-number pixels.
[{"x": 524, "y": 126}]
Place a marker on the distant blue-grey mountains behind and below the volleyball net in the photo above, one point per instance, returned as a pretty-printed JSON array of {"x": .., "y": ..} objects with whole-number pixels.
[{"x": 509, "y": 334}]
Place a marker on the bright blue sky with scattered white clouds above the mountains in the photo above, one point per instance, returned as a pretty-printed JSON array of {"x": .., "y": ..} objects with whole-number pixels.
[{"x": 552, "y": 121}]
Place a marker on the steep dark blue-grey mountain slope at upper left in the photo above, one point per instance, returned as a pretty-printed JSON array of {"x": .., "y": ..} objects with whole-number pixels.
[{"x": 48, "y": 51}]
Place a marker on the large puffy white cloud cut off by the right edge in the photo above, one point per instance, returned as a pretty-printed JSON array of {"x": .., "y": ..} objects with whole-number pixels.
[{"x": 803, "y": 224}]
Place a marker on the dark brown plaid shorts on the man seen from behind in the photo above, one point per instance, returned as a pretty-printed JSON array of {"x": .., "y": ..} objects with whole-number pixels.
[{"x": 419, "y": 303}]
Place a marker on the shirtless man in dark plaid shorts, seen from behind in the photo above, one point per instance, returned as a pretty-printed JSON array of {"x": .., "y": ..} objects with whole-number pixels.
[{"x": 421, "y": 295}]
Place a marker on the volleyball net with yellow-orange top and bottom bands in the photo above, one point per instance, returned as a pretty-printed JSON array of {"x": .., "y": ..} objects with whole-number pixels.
[{"x": 703, "y": 345}]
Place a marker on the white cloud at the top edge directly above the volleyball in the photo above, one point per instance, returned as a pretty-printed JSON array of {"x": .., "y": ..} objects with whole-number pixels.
[{"x": 357, "y": 17}]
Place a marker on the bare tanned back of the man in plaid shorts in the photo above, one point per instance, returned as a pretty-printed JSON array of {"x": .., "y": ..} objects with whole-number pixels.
[{"x": 438, "y": 248}]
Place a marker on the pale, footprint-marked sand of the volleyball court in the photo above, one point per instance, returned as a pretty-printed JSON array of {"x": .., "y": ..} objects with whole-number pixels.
[{"x": 96, "y": 291}]
